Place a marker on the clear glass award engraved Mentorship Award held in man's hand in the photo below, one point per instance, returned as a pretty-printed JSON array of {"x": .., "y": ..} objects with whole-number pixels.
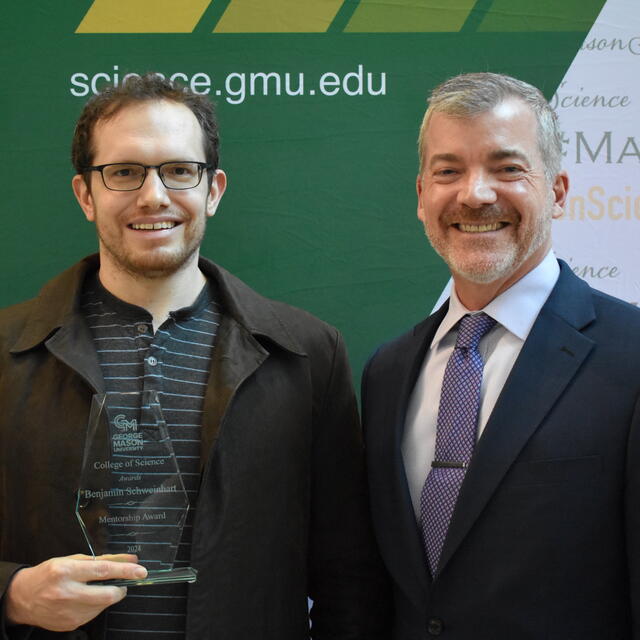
[{"x": 131, "y": 497}]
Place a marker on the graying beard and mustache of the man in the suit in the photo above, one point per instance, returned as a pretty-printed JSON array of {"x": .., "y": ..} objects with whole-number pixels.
[{"x": 487, "y": 259}]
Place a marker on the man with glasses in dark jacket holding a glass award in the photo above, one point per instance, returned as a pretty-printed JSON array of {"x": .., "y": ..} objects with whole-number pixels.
[{"x": 257, "y": 398}]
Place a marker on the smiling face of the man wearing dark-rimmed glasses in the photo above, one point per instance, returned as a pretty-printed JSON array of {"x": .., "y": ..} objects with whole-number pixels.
[{"x": 154, "y": 231}]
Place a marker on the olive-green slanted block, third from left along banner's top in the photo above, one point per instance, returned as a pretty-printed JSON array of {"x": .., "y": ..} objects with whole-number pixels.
[{"x": 393, "y": 16}]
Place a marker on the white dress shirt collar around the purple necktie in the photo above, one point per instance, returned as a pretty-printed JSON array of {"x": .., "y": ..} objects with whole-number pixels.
[{"x": 517, "y": 308}]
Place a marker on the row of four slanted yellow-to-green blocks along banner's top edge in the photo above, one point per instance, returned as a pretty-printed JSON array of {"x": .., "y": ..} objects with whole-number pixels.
[{"x": 354, "y": 16}]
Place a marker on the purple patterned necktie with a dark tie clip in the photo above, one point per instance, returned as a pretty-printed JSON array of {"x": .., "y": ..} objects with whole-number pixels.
[{"x": 456, "y": 434}]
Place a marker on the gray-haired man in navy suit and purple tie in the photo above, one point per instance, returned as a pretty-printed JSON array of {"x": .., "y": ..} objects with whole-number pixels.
[{"x": 504, "y": 473}]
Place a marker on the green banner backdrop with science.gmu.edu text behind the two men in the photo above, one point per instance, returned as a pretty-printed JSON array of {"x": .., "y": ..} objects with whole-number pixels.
[{"x": 320, "y": 209}]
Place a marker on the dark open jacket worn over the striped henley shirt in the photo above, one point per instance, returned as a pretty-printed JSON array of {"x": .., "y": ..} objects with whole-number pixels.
[{"x": 282, "y": 510}]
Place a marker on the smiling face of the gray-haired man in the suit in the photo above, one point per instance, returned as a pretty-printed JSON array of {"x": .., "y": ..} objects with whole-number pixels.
[{"x": 483, "y": 196}]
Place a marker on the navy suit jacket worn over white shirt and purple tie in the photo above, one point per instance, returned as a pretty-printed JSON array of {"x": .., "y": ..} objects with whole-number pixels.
[{"x": 544, "y": 540}]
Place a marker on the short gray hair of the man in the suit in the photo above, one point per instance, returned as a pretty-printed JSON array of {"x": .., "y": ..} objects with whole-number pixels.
[{"x": 471, "y": 94}]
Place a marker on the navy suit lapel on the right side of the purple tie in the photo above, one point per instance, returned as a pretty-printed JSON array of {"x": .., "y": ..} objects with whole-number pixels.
[{"x": 551, "y": 356}]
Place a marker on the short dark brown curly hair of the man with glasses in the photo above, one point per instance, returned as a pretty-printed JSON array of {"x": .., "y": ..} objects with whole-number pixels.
[{"x": 150, "y": 86}]
